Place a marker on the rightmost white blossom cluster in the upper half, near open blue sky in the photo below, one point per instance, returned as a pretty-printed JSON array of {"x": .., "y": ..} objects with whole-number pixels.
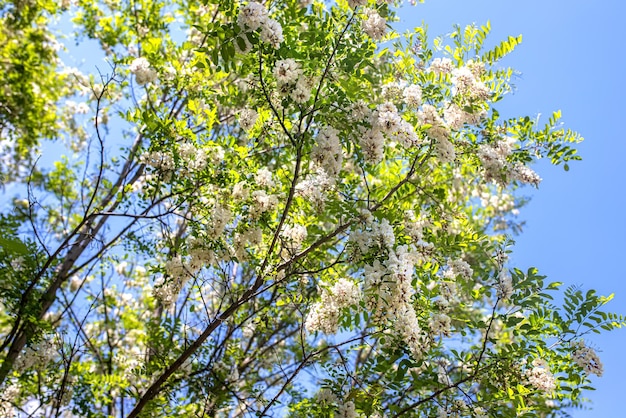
[{"x": 493, "y": 158}]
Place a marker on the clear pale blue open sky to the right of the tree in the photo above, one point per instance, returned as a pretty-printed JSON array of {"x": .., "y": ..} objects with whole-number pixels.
[{"x": 572, "y": 58}]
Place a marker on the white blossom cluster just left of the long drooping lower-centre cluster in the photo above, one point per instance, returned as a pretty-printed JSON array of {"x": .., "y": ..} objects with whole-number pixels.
[{"x": 324, "y": 315}]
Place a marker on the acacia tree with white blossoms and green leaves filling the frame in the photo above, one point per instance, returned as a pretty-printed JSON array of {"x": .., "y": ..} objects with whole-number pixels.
[{"x": 281, "y": 208}]
